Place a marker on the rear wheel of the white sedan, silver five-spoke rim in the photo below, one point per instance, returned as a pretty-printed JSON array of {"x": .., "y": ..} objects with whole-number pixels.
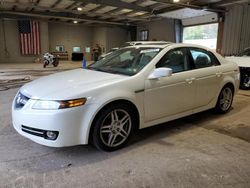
[{"x": 225, "y": 99}]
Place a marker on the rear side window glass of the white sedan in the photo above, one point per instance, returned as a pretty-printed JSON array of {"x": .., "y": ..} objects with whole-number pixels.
[{"x": 203, "y": 58}]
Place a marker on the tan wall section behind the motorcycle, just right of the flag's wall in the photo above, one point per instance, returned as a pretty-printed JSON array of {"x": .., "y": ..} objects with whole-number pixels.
[{"x": 70, "y": 35}]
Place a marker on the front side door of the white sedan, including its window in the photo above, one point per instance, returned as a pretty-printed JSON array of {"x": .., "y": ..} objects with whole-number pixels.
[{"x": 168, "y": 96}]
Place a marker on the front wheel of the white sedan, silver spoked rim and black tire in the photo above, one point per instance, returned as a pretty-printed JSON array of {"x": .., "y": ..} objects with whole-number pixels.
[{"x": 113, "y": 127}]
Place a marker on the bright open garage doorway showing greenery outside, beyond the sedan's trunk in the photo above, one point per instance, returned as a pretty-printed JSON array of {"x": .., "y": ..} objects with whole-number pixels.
[{"x": 205, "y": 35}]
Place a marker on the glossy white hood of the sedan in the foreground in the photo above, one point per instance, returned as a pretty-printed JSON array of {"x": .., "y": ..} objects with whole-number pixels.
[{"x": 68, "y": 84}]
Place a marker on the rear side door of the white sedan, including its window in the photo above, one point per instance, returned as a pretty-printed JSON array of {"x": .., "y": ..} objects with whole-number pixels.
[{"x": 207, "y": 74}]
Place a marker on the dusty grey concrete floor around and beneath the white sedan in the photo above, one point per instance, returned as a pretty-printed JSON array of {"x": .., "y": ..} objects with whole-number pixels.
[{"x": 203, "y": 150}]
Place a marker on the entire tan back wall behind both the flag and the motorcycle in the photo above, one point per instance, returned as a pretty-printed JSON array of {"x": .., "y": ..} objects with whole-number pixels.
[{"x": 53, "y": 34}]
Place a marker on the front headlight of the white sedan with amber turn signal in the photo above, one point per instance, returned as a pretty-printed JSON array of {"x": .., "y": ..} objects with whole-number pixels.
[{"x": 54, "y": 105}]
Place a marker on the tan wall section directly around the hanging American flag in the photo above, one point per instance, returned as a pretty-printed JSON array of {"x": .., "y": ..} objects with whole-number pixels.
[{"x": 12, "y": 53}]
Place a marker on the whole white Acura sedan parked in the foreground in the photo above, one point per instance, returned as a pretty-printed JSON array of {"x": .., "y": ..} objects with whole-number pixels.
[{"x": 133, "y": 88}]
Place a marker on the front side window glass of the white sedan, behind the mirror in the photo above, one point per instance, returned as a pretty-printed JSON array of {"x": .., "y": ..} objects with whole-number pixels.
[{"x": 177, "y": 60}]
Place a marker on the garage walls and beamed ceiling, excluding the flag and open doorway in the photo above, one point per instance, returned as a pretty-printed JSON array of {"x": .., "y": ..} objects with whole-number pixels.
[{"x": 111, "y": 26}]
